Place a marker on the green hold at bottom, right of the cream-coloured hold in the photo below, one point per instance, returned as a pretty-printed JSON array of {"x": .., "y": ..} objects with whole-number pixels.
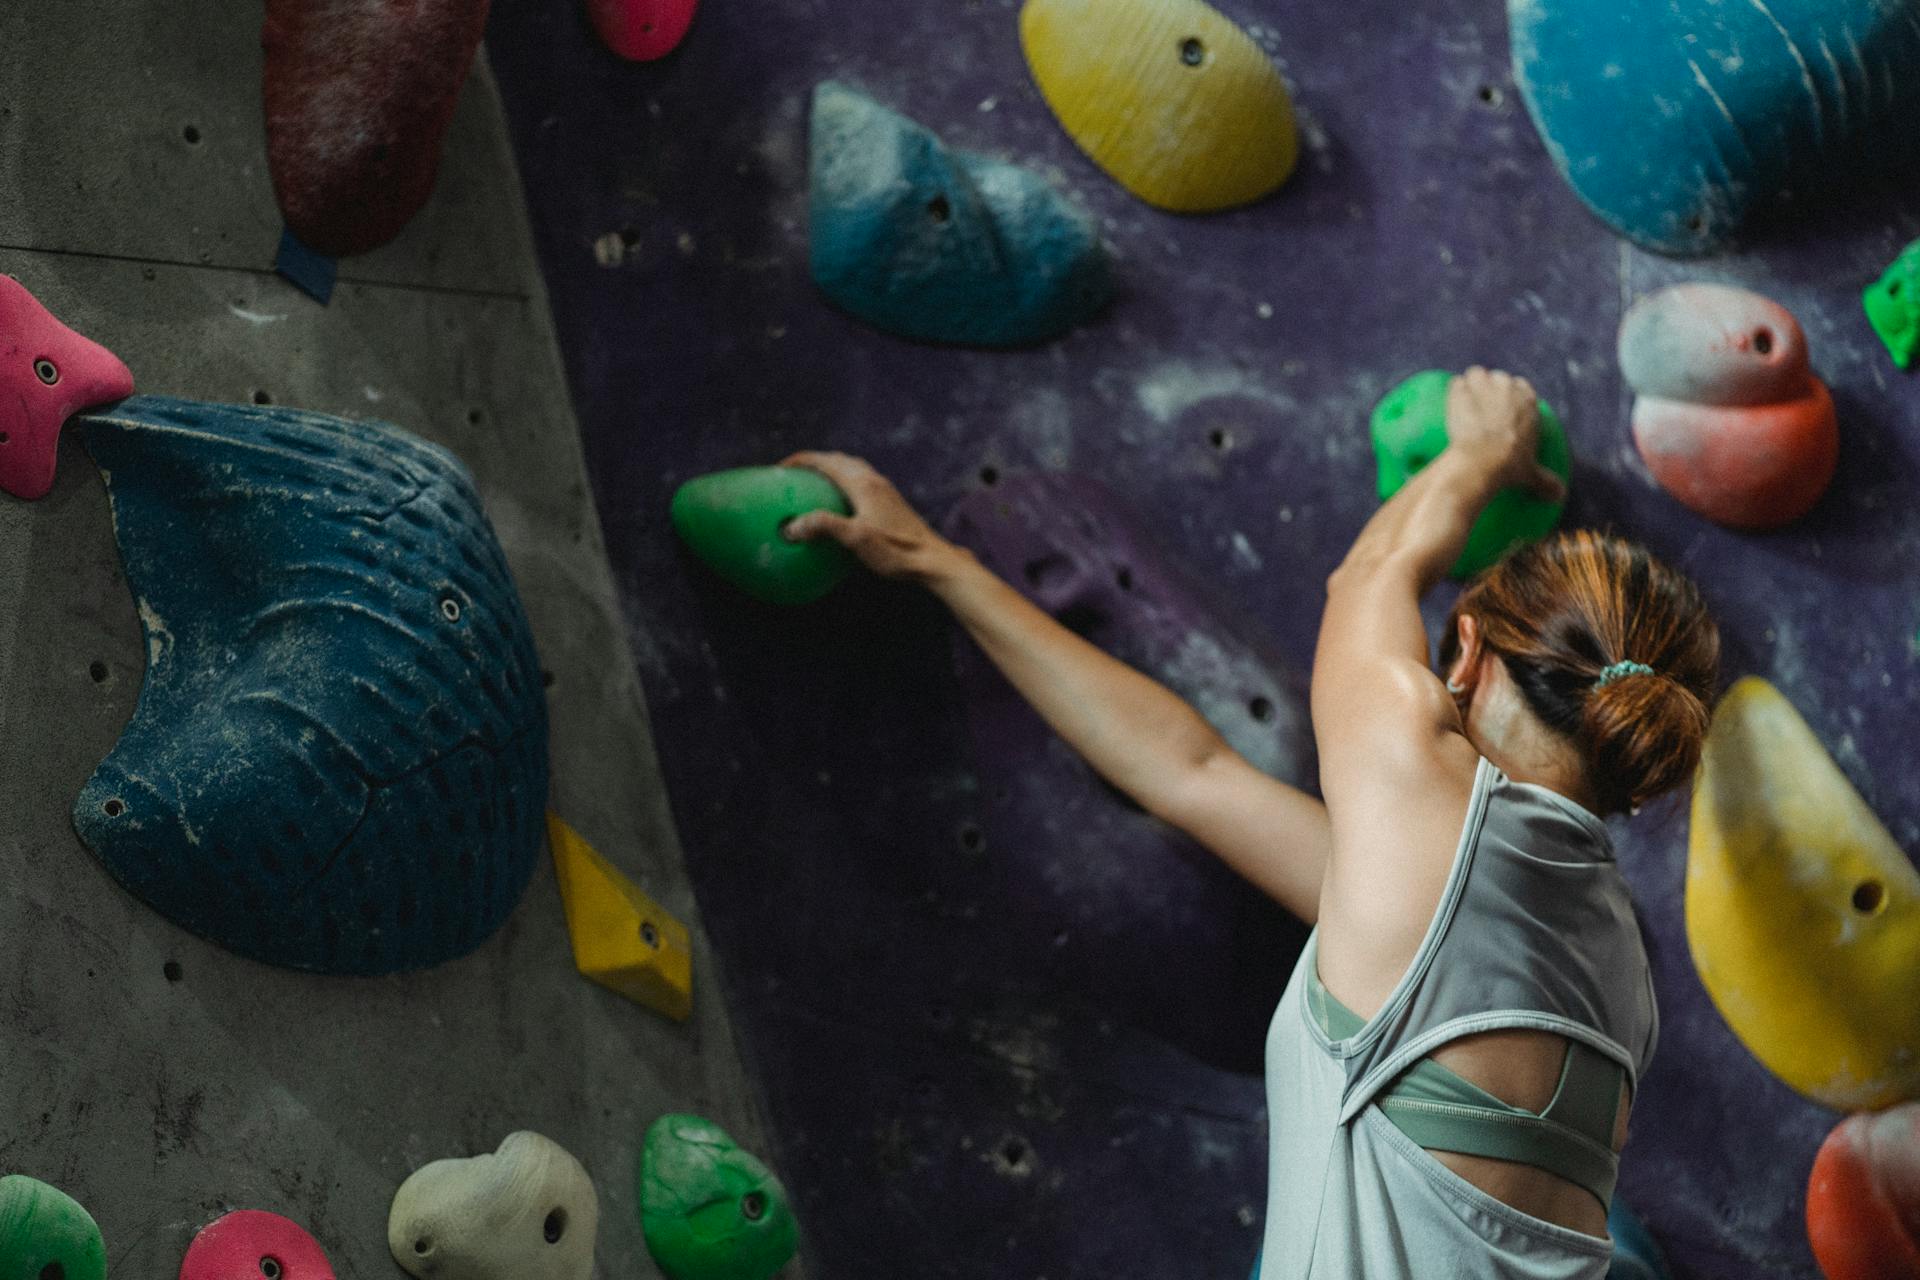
[{"x": 709, "y": 1210}]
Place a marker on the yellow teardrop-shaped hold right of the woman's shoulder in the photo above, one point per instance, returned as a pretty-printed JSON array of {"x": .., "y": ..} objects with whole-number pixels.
[{"x": 1802, "y": 913}]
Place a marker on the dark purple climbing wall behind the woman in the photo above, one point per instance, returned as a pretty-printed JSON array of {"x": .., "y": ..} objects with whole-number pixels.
[{"x": 955, "y": 1095}]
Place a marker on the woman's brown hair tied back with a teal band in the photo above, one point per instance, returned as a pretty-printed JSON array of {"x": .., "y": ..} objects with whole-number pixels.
[{"x": 1562, "y": 613}]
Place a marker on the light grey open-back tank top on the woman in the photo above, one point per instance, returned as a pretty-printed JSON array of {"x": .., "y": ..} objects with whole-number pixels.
[{"x": 1535, "y": 930}]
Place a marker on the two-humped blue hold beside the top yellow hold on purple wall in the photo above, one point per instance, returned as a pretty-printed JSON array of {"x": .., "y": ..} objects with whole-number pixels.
[{"x": 944, "y": 247}]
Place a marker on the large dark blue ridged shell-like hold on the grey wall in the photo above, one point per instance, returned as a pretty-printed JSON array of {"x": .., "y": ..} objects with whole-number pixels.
[{"x": 339, "y": 761}]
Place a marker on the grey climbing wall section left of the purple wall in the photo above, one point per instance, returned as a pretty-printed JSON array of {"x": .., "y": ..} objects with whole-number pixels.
[{"x": 149, "y": 1074}]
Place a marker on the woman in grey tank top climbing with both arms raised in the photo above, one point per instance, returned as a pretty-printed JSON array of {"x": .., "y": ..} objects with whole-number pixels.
[{"x": 1452, "y": 1064}]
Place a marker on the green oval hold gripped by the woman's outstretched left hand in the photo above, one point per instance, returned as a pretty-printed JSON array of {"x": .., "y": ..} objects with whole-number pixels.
[{"x": 736, "y": 523}]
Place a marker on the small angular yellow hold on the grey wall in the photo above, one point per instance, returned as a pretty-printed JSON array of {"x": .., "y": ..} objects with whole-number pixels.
[{"x": 623, "y": 939}]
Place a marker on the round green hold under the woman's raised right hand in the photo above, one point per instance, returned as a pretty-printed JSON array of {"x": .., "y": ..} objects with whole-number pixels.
[{"x": 1410, "y": 433}]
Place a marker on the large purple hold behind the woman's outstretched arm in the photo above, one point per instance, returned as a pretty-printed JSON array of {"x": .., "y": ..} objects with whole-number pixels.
[{"x": 1088, "y": 561}]
